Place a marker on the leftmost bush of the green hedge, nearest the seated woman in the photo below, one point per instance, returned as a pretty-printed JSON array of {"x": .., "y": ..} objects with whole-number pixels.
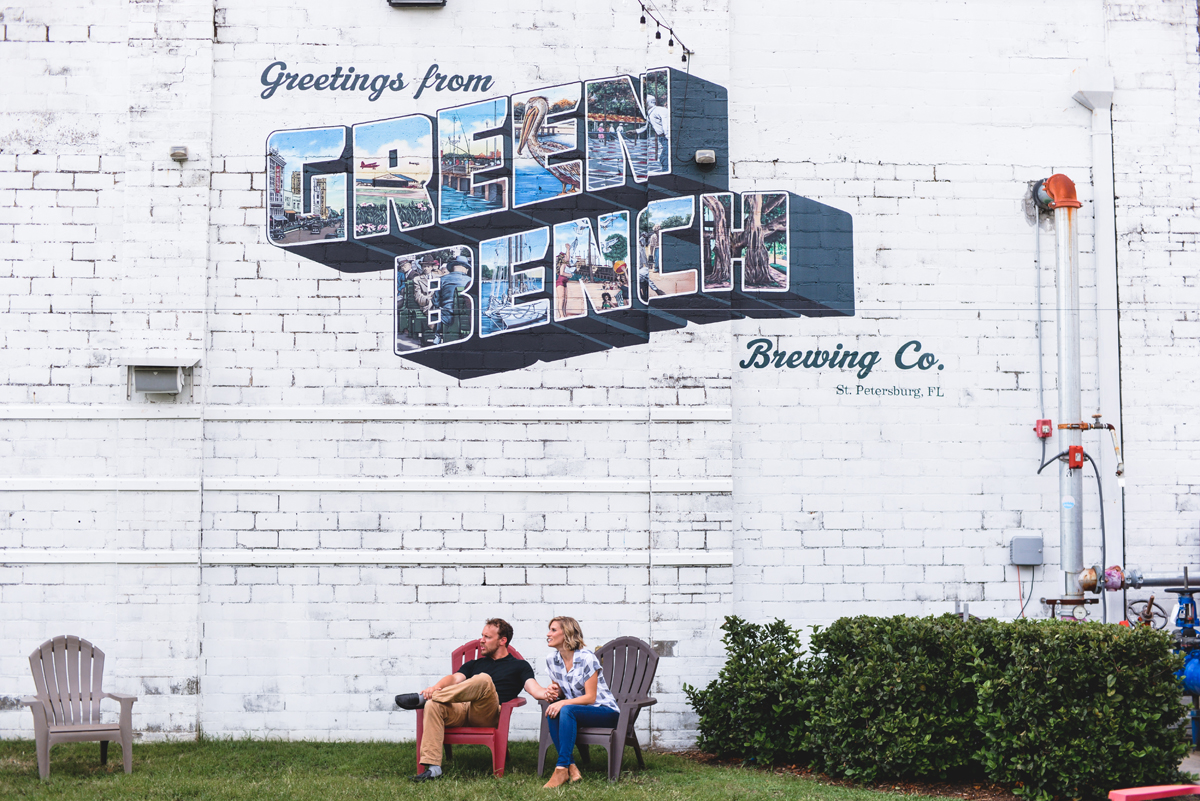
[{"x": 755, "y": 708}]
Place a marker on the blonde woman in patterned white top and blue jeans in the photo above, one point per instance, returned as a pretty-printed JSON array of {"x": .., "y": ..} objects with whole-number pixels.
[{"x": 585, "y": 698}]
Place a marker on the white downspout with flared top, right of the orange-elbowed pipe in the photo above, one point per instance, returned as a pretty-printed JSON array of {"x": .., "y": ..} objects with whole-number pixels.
[{"x": 1094, "y": 92}]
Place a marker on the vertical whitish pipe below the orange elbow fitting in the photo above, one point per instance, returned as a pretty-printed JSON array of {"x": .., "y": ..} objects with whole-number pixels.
[{"x": 1071, "y": 483}]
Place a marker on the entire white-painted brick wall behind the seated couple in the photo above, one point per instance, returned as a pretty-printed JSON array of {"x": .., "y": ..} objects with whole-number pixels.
[{"x": 391, "y": 497}]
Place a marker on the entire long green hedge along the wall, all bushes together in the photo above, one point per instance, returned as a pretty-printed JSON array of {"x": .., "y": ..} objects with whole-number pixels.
[{"x": 1055, "y": 709}]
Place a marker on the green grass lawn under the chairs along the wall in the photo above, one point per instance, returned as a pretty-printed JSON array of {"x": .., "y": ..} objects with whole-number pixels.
[{"x": 363, "y": 772}]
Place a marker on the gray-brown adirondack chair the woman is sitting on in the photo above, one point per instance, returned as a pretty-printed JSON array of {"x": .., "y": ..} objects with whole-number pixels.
[{"x": 628, "y": 665}]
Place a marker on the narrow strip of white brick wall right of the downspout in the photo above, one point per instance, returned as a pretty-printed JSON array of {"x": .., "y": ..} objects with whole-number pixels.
[{"x": 1154, "y": 52}]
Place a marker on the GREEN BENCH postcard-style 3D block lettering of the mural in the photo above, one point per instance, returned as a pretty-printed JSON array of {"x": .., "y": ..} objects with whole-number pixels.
[{"x": 555, "y": 222}]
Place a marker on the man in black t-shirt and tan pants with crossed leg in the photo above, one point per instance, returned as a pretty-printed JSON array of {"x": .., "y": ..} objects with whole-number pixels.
[{"x": 473, "y": 695}]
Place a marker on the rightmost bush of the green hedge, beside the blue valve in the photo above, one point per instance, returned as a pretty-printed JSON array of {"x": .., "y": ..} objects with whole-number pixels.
[{"x": 1077, "y": 710}]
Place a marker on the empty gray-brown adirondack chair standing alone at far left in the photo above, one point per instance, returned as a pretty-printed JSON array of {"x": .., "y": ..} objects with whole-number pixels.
[{"x": 69, "y": 672}]
